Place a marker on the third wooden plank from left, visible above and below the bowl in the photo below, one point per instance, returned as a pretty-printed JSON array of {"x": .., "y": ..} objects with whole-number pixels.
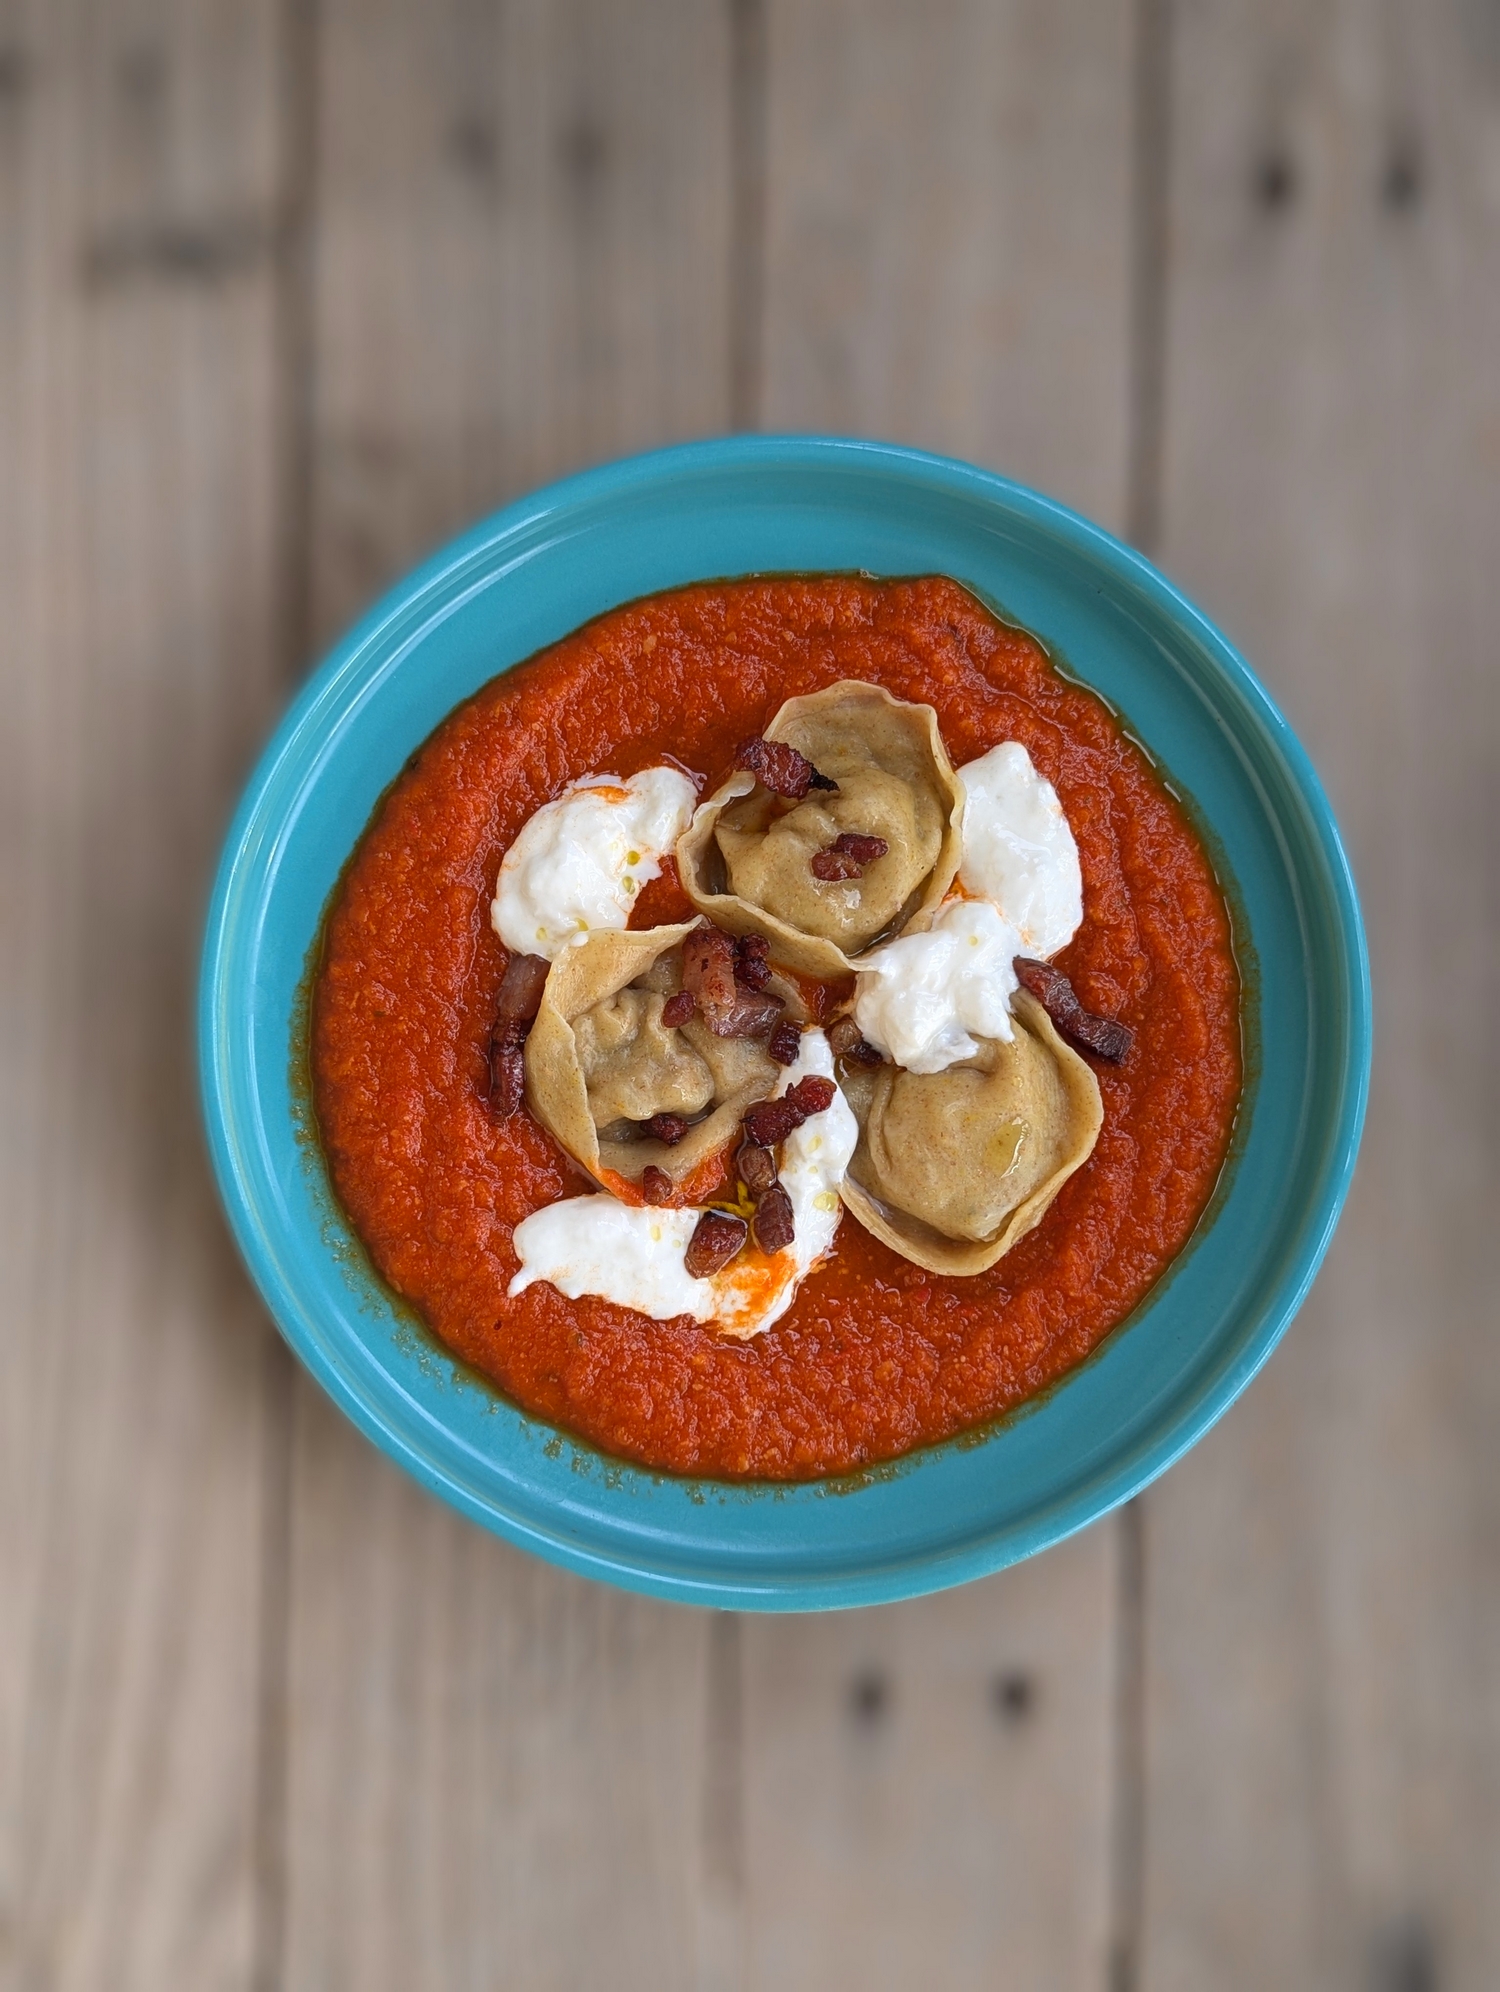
[{"x": 949, "y": 226}]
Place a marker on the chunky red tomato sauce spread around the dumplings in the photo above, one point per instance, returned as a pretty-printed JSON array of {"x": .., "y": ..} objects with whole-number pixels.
[{"x": 875, "y": 1356}]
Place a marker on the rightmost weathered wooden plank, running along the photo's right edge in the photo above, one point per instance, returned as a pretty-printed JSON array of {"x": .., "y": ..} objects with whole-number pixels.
[{"x": 1324, "y": 1636}]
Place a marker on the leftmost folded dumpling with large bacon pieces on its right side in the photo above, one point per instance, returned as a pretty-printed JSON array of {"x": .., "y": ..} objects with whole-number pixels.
[{"x": 601, "y": 1063}]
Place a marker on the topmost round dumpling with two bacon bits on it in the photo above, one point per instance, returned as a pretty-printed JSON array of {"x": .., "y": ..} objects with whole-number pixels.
[{"x": 748, "y": 858}]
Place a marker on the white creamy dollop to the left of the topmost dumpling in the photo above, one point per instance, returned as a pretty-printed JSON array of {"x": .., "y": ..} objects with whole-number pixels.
[{"x": 581, "y": 862}]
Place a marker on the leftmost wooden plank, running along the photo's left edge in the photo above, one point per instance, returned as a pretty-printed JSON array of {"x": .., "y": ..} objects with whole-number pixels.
[{"x": 140, "y": 660}]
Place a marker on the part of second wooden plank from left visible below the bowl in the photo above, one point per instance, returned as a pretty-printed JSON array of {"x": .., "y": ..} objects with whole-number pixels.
[{"x": 497, "y": 1770}]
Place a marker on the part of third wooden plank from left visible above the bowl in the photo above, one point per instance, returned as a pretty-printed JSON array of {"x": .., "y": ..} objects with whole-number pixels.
[{"x": 949, "y": 232}]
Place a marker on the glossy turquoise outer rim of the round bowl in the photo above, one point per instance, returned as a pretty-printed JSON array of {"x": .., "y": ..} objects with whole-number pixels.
[{"x": 1126, "y": 1475}]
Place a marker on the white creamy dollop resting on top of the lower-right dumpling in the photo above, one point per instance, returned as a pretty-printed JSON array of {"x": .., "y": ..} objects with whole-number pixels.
[{"x": 919, "y": 997}]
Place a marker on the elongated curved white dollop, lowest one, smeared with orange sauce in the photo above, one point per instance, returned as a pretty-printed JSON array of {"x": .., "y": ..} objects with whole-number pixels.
[{"x": 634, "y": 1254}]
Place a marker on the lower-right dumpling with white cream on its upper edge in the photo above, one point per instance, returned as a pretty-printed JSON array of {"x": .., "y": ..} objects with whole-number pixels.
[{"x": 955, "y": 1168}]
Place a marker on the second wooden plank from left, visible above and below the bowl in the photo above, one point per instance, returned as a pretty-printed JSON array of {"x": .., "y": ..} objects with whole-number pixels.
[{"x": 497, "y": 1774}]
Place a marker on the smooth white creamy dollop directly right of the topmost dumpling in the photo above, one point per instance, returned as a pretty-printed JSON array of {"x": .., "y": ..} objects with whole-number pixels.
[{"x": 1019, "y": 850}]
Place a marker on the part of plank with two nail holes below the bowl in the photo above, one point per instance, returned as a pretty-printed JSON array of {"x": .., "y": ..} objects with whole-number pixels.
[{"x": 927, "y": 1788}]
